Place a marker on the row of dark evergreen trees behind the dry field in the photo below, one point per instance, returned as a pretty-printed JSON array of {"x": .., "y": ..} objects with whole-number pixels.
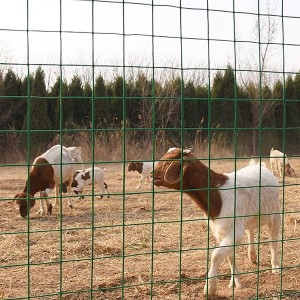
[{"x": 248, "y": 114}]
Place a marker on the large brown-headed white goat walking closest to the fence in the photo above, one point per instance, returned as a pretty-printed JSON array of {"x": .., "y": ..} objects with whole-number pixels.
[{"x": 233, "y": 203}]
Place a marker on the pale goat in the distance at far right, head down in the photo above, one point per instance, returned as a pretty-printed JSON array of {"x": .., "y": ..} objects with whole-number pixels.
[{"x": 280, "y": 163}]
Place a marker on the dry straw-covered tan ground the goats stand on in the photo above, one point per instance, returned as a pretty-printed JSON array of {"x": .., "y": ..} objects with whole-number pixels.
[{"x": 134, "y": 245}]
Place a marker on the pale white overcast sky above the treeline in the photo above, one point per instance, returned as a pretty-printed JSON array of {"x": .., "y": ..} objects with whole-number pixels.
[{"x": 43, "y": 43}]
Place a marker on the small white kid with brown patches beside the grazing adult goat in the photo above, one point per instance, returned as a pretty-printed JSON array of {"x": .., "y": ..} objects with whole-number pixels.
[{"x": 85, "y": 177}]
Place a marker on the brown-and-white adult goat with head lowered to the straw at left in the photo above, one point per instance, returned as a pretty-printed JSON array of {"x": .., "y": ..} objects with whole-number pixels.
[{"x": 48, "y": 171}]
